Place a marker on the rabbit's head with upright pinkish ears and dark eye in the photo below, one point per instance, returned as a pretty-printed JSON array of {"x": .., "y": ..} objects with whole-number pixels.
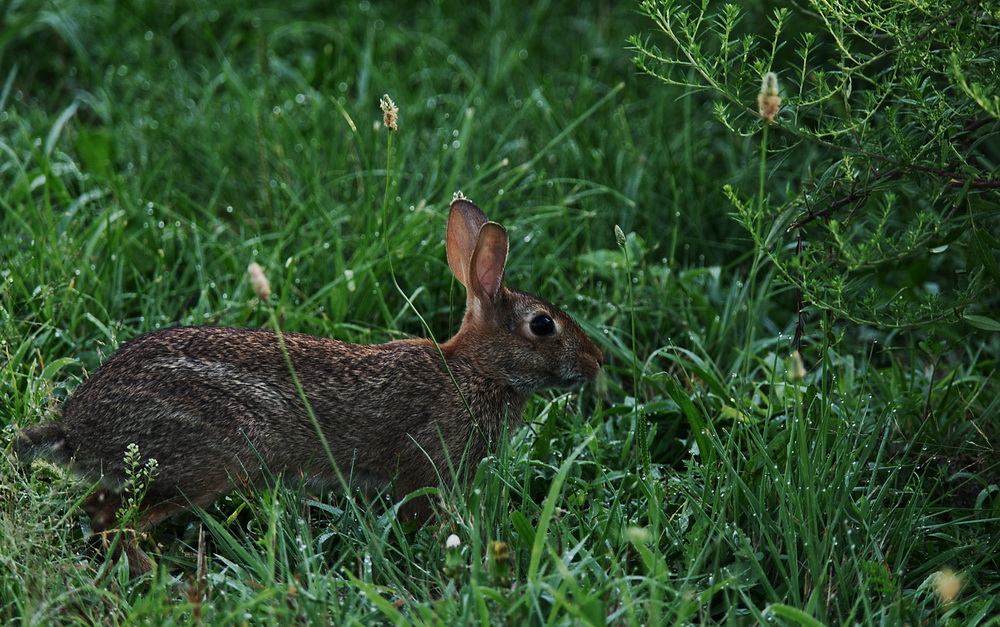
[{"x": 511, "y": 335}]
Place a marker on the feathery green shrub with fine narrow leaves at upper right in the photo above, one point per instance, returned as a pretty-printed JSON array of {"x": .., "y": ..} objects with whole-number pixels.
[{"x": 878, "y": 196}]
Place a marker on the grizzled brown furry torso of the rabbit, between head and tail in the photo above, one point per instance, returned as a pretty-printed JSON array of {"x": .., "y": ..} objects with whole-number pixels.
[{"x": 212, "y": 403}]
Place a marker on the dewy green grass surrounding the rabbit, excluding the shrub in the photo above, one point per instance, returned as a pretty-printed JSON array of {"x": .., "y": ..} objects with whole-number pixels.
[{"x": 151, "y": 152}]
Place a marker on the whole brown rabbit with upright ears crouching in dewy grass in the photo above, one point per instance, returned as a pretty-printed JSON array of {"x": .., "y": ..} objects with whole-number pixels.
[{"x": 214, "y": 405}]
